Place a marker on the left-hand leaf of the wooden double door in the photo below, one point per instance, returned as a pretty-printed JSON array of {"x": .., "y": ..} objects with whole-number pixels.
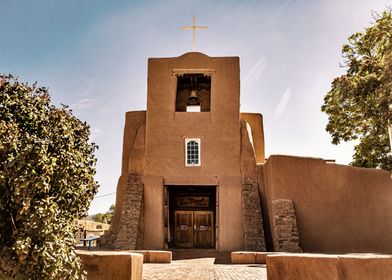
[{"x": 184, "y": 229}]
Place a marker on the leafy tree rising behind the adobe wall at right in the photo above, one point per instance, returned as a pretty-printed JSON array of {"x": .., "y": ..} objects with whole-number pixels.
[{"x": 358, "y": 102}]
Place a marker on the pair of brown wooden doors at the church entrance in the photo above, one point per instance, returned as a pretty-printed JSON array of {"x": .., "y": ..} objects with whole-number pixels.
[{"x": 194, "y": 229}]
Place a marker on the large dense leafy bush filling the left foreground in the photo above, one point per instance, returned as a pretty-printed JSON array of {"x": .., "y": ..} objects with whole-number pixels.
[{"x": 46, "y": 183}]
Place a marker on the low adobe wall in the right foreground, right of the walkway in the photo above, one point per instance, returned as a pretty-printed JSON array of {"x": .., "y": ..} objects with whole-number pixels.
[{"x": 333, "y": 267}]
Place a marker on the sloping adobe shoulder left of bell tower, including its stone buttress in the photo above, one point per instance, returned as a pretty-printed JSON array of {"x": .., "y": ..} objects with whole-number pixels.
[{"x": 129, "y": 184}]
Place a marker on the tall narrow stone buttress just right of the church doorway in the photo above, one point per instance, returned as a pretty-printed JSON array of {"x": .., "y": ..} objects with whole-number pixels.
[{"x": 253, "y": 223}]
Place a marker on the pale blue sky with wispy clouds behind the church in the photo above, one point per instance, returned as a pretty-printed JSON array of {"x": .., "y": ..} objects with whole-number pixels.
[{"x": 93, "y": 56}]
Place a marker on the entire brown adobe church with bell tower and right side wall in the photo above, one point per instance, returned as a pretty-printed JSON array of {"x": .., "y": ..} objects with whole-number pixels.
[{"x": 194, "y": 175}]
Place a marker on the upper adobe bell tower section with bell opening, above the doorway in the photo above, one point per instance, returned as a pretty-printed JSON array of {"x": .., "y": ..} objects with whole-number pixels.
[{"x": 193, "y": 96}]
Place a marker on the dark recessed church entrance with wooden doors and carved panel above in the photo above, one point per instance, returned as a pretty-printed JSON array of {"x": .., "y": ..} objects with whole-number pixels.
[{"x": 192, "y": 216}]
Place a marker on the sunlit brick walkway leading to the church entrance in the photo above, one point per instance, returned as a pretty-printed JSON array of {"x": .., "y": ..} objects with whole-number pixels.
[{"x": 202, "y": 269}]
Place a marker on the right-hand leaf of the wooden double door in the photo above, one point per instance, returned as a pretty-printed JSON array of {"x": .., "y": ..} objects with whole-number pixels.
[{"x": 203, "y": 229}]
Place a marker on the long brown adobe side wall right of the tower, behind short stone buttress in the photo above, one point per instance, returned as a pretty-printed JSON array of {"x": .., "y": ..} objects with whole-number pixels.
[{"x": 339, "y": 209}]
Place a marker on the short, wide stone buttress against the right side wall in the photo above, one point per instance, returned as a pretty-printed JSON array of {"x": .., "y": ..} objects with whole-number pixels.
[{"x": 285, "y": 230}]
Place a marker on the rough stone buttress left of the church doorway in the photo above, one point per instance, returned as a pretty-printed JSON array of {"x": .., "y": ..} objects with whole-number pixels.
[{"x": 130, "y": 235}]
